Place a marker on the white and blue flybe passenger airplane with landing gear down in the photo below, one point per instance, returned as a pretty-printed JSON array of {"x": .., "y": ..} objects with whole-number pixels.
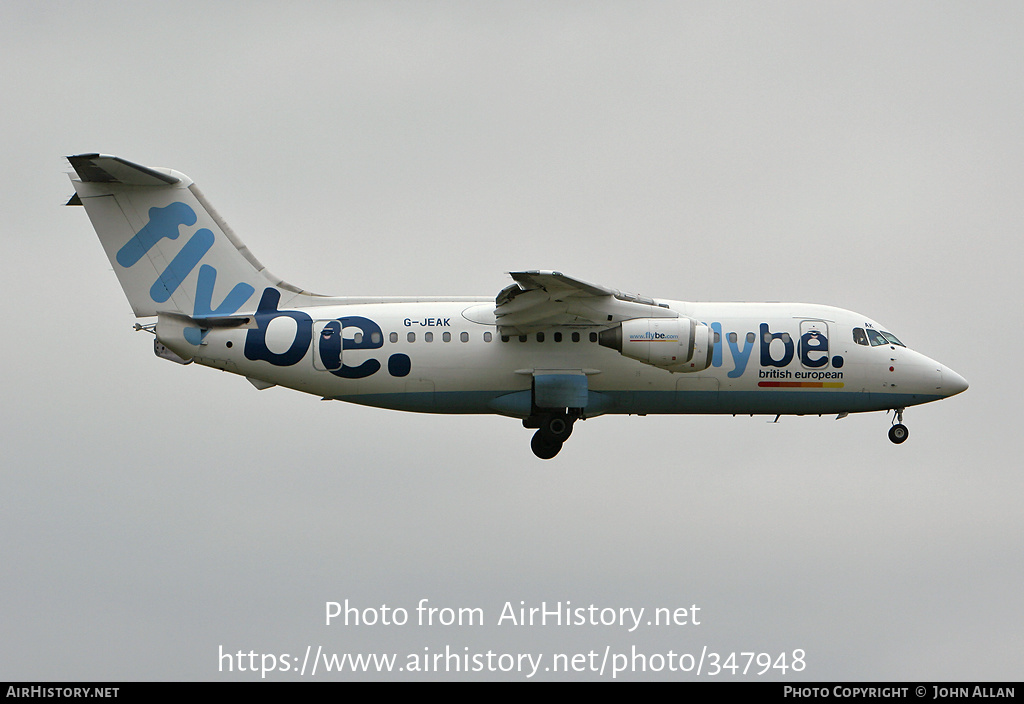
[{"x": 549, "y": 349}]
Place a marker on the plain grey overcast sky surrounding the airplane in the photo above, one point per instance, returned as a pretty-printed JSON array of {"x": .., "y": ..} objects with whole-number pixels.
[{"x": 862, "y": 155}]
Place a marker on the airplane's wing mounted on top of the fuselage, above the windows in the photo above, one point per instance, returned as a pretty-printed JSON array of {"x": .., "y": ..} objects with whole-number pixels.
[{"x": 540, "y": 300}]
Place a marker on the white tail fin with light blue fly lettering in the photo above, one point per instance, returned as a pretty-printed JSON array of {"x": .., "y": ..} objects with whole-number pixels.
[{"x": 172, "y": 251}]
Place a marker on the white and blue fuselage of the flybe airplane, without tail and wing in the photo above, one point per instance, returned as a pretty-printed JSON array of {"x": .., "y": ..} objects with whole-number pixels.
[{"x": 443, "y": 357}]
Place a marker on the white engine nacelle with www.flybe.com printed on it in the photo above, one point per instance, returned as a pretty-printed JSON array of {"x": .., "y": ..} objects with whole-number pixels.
[{"x": 674, "y": 344}]
